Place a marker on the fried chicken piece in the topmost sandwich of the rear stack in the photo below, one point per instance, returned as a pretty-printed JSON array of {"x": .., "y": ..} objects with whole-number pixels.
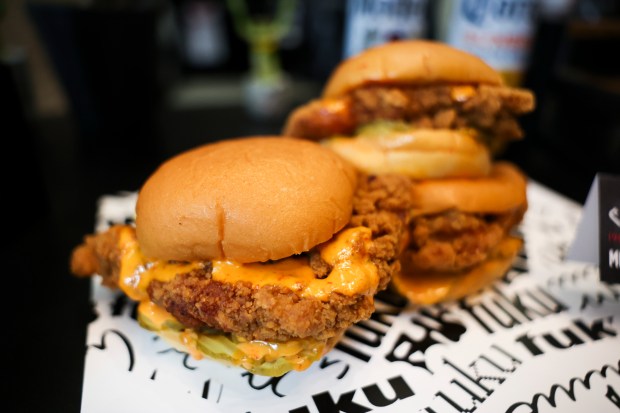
[{"x": 490, "y": 109}]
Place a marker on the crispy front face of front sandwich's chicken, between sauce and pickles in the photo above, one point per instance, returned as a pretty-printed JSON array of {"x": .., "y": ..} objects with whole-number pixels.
[{"x": 271, "y": 312}]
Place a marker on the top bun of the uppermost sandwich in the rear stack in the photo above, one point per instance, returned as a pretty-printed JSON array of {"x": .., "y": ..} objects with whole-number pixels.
[{"x": 409, "y": 62}]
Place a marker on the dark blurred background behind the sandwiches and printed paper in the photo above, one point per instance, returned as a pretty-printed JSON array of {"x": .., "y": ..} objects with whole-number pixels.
[{"x": 96, "y": 93}]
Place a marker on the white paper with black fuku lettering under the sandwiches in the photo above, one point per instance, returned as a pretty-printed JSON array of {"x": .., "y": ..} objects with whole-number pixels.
[{"x": 546, "y": 338}]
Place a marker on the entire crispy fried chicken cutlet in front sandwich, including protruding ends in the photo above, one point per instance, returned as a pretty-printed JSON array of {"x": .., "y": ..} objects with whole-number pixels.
[{"x": 267, "y": 312}]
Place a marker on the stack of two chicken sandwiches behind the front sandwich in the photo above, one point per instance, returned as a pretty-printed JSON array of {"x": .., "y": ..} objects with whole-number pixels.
[{"x": 438, "y": 116}]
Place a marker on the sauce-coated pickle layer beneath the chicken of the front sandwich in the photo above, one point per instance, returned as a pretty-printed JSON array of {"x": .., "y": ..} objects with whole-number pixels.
[{"x": 256, "y": 356}]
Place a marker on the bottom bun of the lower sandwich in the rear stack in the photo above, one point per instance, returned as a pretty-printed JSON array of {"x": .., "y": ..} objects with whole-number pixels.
[{"x": 431, "y": 288}]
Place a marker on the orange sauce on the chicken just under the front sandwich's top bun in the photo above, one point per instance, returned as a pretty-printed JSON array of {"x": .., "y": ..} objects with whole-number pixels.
[{"x": 347, "y": 253}]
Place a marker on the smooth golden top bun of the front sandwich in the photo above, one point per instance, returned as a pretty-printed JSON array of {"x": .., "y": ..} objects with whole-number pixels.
[{"x": 248, "y": 199}]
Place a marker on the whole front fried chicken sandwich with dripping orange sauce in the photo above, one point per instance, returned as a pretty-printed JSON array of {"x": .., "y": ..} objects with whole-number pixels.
[{"x": 250, "y": 251}]
